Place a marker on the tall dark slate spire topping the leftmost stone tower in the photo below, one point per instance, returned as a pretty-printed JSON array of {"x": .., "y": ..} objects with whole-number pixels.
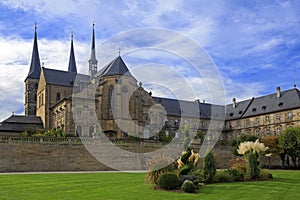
[{"x": 35, "y": 65}]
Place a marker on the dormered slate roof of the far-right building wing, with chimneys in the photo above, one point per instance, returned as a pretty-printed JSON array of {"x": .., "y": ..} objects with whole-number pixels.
[{"x": 288, "y": 99}]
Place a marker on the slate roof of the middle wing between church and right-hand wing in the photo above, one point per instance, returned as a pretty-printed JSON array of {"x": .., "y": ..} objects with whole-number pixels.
[{"x": 191, "y": 108}]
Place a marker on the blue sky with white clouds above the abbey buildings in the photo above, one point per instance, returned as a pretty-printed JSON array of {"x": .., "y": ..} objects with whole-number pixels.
[{"x": 252, "y": 46}]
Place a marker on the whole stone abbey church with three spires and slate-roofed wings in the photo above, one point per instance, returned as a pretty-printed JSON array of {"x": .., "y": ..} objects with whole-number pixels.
[{"x": 110, "y": 101}]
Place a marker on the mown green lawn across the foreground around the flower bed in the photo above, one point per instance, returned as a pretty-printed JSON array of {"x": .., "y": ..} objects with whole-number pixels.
[{"x": 285, "y": 185}]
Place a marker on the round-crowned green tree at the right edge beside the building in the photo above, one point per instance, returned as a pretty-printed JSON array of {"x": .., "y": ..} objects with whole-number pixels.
[{"x": 290, "y": 141}]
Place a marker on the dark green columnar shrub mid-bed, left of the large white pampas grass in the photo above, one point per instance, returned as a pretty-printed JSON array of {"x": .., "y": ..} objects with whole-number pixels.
[{"x": 209, "y": 167}]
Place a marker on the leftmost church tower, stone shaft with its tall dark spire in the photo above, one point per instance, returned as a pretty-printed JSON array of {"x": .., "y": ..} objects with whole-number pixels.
[{"x": 32, "y": 79}]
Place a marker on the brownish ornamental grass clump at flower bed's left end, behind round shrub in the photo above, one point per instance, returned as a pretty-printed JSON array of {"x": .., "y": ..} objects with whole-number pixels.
[{"x": 157, "y": 166}]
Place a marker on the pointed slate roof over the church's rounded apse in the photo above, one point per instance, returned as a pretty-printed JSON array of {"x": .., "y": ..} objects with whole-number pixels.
[{"x": 115, "y": 67}]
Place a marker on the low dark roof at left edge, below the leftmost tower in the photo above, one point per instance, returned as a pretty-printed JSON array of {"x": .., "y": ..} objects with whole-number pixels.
[{"x": 18, "y": 123}]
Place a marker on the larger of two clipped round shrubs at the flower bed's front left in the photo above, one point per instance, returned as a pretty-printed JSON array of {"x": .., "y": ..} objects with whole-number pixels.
[{"x": 168, "y": 181}]
